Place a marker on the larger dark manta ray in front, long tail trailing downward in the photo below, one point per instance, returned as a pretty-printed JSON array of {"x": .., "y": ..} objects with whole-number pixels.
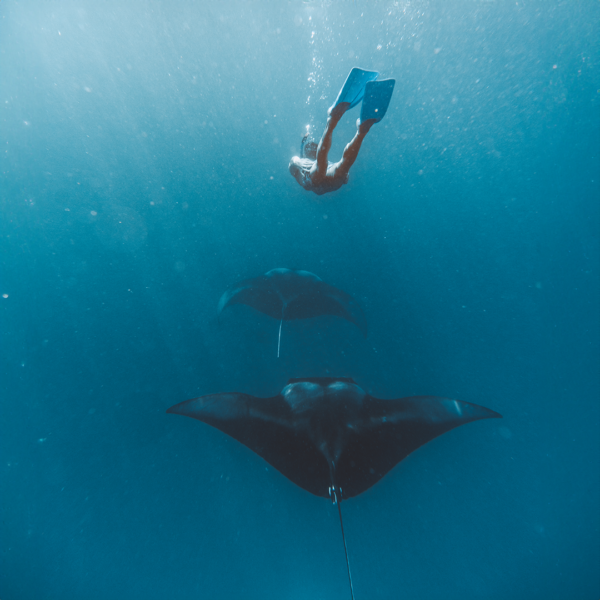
[{"x": 327, "y": 435}]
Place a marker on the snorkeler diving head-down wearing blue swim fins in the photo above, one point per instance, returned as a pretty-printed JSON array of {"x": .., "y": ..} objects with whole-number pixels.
[{"x": 311, "y": 169}]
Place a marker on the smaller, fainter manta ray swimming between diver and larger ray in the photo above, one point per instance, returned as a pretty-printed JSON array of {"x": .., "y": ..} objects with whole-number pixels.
[{"x": 287, "y": 294}]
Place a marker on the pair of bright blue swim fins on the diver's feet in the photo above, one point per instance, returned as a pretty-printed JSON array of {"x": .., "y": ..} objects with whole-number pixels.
[{"x": 360, "y": 85}]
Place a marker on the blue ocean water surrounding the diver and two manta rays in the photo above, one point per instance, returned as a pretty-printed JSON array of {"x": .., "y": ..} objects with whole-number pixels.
[{"x": 144, "y": 170}]
